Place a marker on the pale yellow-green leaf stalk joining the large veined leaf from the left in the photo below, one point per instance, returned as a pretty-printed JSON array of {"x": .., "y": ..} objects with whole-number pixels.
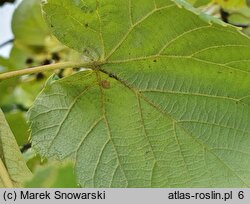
[{"x": 43, "y": 68}]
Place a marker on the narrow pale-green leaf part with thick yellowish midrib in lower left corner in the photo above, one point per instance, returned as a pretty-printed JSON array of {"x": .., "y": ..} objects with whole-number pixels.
[{"x": 13, "y": 170}]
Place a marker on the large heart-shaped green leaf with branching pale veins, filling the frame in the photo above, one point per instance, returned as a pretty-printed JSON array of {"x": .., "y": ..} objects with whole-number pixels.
[{"x": 167, "y": 102}]
